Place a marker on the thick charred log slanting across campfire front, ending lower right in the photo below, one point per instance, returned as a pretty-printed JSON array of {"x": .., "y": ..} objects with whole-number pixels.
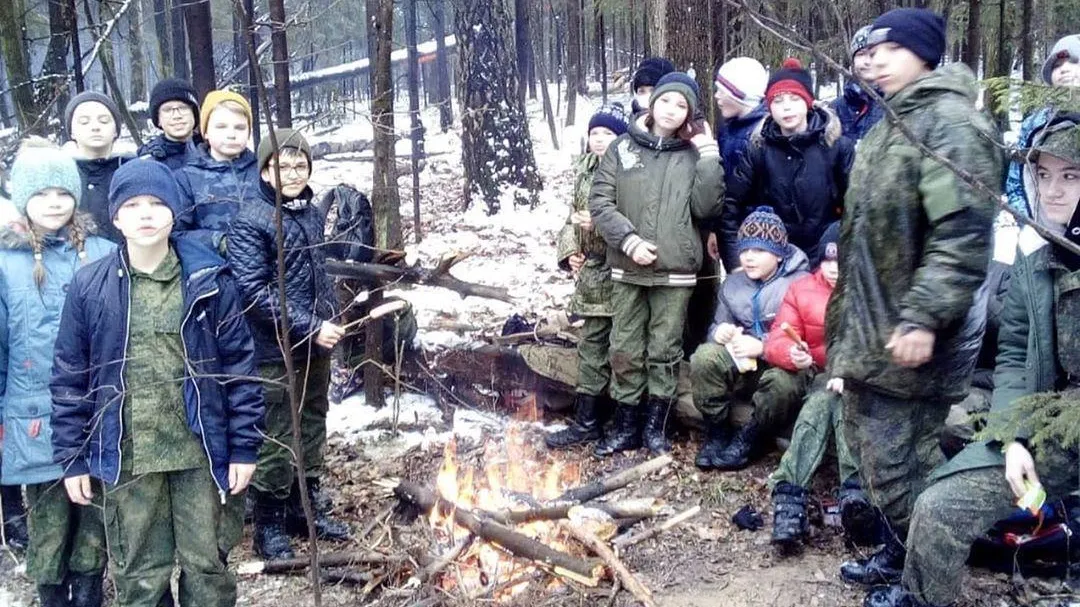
[{"x": 578, "y": 570}]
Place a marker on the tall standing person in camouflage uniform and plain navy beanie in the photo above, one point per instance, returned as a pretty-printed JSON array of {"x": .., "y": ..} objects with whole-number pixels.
[{"x": 903, "y": 328}]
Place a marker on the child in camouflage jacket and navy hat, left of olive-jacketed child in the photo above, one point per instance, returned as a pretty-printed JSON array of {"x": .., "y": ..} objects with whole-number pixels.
[{"x": 585, "y": 253}]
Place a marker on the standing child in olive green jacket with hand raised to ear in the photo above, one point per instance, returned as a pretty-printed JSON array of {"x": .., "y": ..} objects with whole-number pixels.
[{"x": 652, "y": 187}]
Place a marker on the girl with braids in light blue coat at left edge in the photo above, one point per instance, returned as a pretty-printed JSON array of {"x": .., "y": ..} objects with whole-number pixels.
[{"x": 39, "y": 255}]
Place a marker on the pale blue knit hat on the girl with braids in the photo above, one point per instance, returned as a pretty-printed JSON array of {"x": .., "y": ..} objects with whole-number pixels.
[{"x": 40, "y": 166}]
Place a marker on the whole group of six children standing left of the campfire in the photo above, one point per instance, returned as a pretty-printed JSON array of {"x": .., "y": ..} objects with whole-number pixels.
[{"x": 143, "y": 383}]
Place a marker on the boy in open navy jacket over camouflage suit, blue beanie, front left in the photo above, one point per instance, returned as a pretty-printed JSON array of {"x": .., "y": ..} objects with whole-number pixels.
[{"x": 155, "y": 397}]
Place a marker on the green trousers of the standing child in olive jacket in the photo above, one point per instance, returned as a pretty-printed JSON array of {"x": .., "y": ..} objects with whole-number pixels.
[{"x": 646, "y": 341}]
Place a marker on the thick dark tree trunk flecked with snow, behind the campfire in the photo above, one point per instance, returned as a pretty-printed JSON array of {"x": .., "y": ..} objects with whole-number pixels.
[{"x": 497, "y": 153}]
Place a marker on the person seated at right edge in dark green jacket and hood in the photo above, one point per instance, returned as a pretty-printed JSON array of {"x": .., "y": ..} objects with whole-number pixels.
[{"x": 1038, "y": 356}]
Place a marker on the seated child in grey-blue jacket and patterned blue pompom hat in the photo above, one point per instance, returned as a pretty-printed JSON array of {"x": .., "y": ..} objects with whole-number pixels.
[{"x": 748, "y": 302}]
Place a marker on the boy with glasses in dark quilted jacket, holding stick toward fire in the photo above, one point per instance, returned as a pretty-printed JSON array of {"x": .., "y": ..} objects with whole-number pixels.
[{"x": 314, "y": 331}]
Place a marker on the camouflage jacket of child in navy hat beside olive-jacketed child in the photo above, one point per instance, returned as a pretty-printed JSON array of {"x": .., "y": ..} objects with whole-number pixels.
[{"x": 592, "y": 292}]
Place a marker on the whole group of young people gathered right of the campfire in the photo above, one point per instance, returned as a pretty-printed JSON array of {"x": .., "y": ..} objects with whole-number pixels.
[{"x": 856, "y": 295}]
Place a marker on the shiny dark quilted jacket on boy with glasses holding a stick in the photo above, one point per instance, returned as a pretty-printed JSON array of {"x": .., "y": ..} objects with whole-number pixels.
[{"x": 252, "y": 252}]
